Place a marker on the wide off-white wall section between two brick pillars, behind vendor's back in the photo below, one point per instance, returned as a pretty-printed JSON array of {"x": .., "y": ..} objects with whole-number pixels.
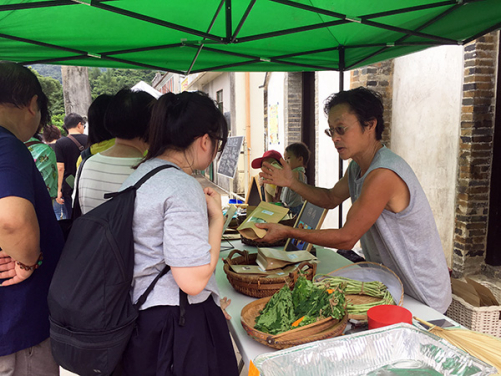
[{"x": 426, "y": 125}]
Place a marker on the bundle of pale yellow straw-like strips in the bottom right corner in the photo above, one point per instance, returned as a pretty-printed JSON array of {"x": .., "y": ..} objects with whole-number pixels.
[{"x": 479, "y": 345}]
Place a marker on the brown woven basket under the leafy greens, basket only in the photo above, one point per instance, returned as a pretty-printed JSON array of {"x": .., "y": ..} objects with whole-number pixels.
[{"x": 322, "y": 329}]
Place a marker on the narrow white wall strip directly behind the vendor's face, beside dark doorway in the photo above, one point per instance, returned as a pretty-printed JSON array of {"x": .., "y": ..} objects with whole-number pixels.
[{"x": 327, "y": 162}]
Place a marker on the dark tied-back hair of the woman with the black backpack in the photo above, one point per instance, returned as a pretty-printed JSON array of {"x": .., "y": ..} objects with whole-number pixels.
[{"x": 178, "y": 119}]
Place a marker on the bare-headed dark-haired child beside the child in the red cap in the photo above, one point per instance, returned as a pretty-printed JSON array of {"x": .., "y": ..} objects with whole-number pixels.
[{"x": 297, "y": 156}]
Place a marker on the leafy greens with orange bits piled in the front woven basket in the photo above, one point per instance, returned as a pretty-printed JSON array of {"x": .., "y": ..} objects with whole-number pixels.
[{"x": 305, "y": 304}]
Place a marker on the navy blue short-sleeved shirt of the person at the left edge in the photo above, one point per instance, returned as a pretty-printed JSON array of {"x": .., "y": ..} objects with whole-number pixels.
[{"x": 24, "y": 314}]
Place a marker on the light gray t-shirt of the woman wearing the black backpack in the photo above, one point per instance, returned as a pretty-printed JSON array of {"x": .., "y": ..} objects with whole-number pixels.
[{"x": 170, "y": 227}]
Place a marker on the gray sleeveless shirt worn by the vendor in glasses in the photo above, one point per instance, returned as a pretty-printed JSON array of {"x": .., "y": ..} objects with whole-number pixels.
[{"x": 407, "y": 242}]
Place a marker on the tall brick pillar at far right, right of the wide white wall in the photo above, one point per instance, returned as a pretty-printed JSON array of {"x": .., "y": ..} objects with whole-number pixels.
[{"x": 475, "y": 154}]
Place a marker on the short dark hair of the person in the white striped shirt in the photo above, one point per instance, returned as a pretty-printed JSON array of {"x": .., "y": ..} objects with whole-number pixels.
[{"x": 128, "y": 114}]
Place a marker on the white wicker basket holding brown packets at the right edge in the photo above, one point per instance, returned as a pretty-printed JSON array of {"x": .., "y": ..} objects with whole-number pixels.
[{"x": 480, "y": 319}]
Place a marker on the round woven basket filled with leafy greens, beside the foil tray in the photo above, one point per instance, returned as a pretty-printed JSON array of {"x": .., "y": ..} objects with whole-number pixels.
[{"x": 290, "y": 318}]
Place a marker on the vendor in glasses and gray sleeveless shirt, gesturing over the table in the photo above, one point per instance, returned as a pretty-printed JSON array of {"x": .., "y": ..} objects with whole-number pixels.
[{"x": 390, "y": 213}]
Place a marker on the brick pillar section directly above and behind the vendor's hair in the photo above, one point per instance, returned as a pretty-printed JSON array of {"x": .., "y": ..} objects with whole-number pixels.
[{"x": 378, "y": 77}]
